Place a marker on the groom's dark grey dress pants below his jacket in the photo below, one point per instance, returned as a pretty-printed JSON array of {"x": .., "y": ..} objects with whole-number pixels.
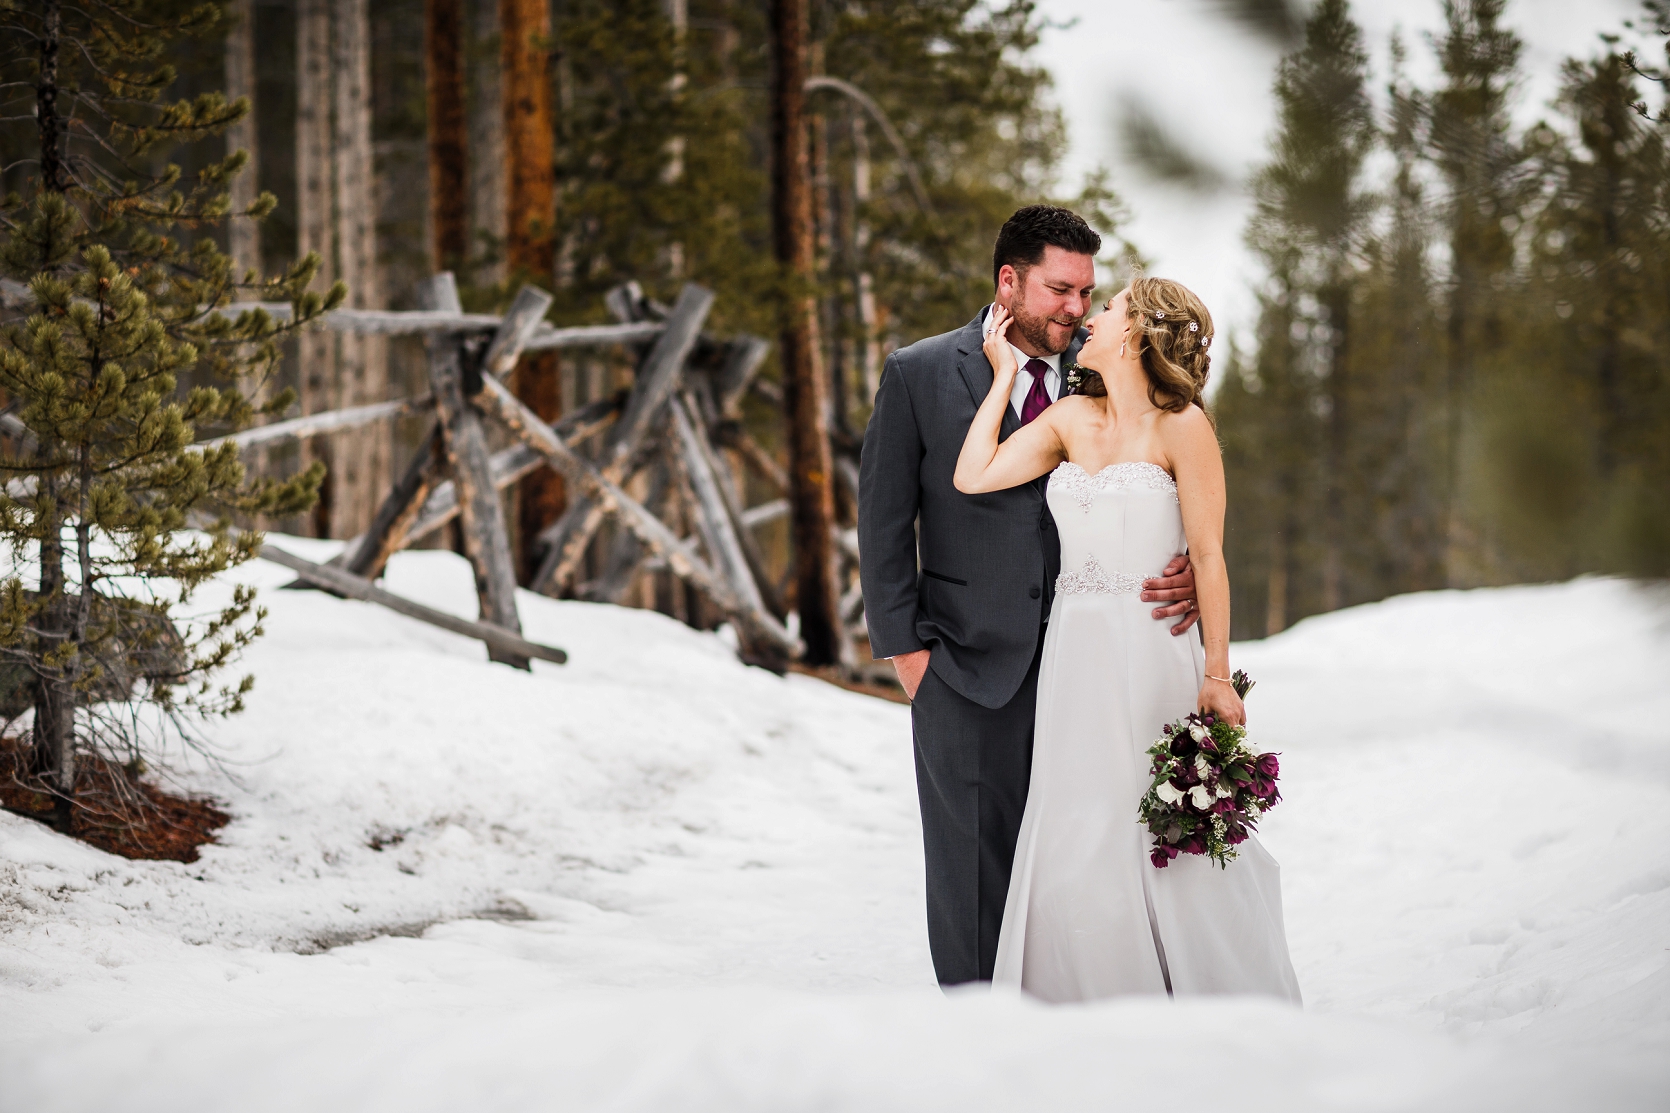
[{"x": 973, "y": 771}]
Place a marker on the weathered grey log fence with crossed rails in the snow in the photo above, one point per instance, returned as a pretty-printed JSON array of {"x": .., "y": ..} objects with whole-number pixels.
[{"x": 671, "y": 425}]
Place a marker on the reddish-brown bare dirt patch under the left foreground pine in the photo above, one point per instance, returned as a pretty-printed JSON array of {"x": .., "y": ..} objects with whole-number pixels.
[{"x": 116, "y": 810}]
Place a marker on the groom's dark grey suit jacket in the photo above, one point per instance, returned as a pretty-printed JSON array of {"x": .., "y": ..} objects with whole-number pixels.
[{"x": 989, "y": 562}]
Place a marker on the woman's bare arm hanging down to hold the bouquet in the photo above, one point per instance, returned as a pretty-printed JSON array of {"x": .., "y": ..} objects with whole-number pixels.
[{"x": 1192, "y": 447}]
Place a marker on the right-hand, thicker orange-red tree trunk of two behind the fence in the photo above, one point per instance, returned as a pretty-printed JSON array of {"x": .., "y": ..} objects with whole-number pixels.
[{"x": 530, "y": 245}]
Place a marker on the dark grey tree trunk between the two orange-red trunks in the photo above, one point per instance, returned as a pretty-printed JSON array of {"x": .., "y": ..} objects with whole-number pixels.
[{"x": 487, "y": 143}]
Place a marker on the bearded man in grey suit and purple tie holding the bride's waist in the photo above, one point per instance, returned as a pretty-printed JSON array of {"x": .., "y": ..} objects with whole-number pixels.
[{"x": 966, "y": 629}]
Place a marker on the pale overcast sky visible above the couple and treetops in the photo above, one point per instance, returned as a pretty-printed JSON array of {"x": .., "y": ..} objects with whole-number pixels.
[{"x": 1210, "y": 81}]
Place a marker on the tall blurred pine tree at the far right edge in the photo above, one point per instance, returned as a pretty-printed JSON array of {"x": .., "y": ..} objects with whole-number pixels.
[{"x": 1601, "y": 252}]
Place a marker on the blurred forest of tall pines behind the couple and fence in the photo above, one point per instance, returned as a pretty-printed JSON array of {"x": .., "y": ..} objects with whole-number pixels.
[{"x": 1459, "y": 374}]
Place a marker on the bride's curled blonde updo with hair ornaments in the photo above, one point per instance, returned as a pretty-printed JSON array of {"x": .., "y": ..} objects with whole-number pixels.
[{"x": 1175, "y": 333}]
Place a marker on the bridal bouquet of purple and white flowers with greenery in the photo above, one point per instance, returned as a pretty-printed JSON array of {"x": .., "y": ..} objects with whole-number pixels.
[{"x": 1210, "y": 788}]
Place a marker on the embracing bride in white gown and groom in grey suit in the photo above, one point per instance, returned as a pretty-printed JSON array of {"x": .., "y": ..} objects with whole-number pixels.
[{"x": 1015, "y": 536}]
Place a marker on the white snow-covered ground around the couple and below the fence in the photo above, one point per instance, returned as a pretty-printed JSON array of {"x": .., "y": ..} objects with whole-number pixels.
[{"x": 657, "y": 880}]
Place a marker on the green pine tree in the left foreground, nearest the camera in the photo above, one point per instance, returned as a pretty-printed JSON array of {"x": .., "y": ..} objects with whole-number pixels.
[{"x": 103, "y": 480}]
